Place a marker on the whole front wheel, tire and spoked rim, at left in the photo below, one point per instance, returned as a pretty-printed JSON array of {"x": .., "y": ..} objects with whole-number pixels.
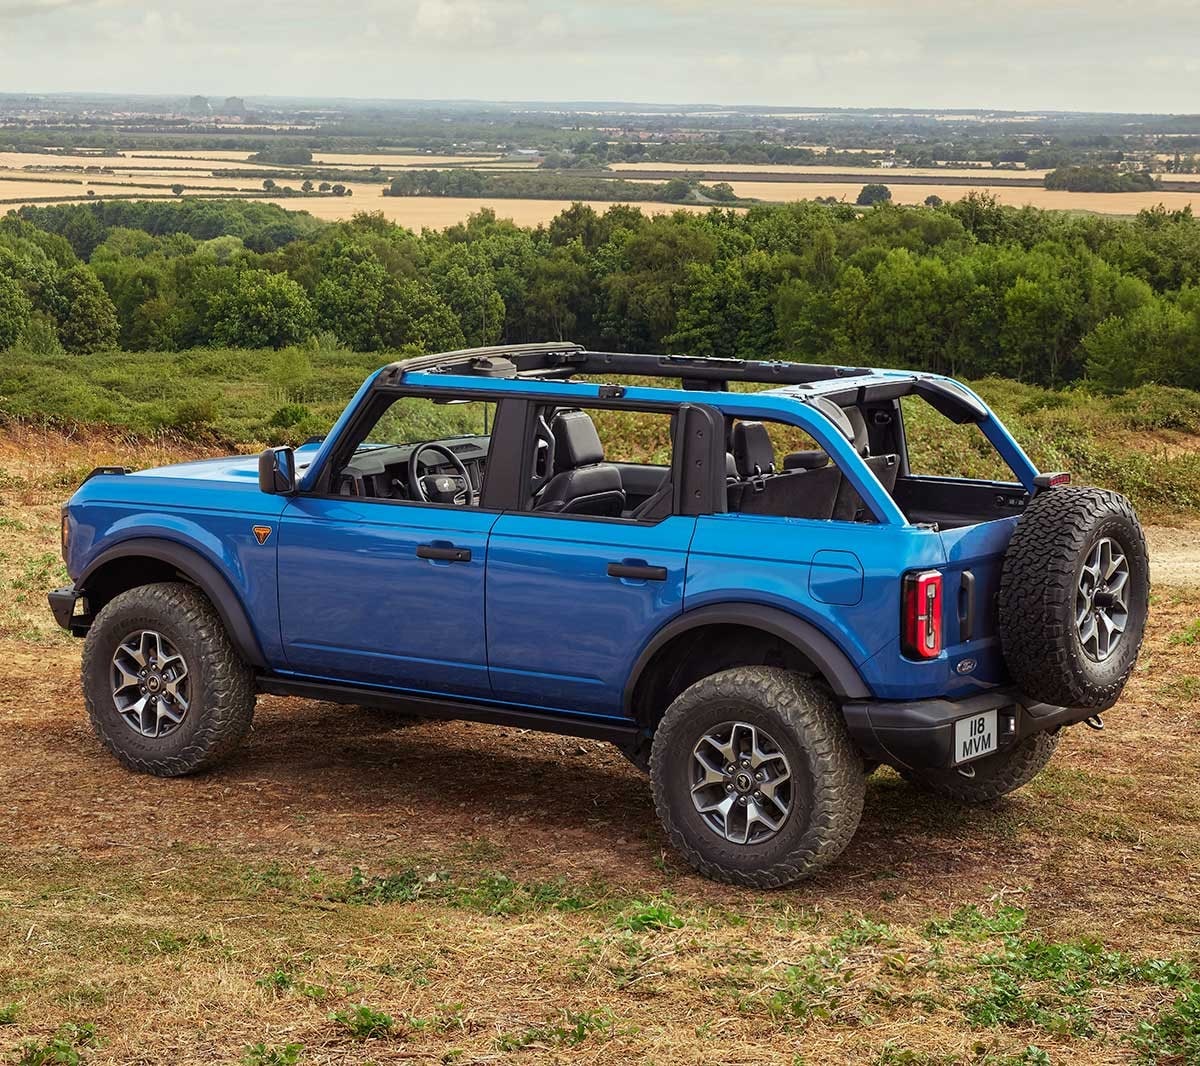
[{"x": 165, "y": 688}]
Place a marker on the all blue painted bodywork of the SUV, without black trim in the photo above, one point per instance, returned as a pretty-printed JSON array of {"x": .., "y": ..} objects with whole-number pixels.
[{"x": 533, "y": 619}]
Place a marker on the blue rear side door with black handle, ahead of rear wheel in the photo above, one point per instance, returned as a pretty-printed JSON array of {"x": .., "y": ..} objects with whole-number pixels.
[{"x": 573, "y": 600}]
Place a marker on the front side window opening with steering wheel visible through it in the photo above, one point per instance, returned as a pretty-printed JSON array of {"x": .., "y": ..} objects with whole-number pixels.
[{"x": 421, "y": 451}]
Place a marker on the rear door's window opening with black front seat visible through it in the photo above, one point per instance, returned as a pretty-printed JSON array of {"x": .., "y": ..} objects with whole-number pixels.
[{"x": 602, "y": 463}]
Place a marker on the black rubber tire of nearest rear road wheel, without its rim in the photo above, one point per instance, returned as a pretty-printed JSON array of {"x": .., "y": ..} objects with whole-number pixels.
[{"x": 803, "y": 718}]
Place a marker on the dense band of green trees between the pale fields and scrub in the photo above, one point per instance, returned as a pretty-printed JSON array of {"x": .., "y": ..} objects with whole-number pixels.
[{"x": 969, "y": 289}]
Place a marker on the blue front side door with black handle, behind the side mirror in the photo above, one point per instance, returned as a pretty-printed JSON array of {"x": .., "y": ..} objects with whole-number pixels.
[{"x": 387, "y": 591}]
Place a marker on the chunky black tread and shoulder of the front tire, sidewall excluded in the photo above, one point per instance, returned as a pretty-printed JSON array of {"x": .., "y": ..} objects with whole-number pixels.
[{"x": 230, "y": 710}]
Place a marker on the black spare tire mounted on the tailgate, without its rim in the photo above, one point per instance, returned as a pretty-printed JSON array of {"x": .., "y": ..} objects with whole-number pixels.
[{"x": 1039, "y": 577}]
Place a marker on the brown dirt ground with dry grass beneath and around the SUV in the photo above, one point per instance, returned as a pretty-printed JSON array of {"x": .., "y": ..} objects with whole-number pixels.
[{"x": 350, "y": 891}]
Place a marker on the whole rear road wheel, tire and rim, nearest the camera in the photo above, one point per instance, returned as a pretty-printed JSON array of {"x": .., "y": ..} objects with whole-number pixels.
[{"x": 755, "y": 777}]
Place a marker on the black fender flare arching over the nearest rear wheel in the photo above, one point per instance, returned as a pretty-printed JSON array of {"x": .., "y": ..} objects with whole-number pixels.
[{"x": 831, "y": 662}]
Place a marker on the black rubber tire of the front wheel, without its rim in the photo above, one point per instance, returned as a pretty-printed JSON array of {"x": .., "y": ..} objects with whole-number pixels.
[{"x": 221, "y": 704}]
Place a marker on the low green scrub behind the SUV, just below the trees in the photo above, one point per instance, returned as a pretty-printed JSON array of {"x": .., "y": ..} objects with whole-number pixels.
[{"x": 250, "y": 398}]
